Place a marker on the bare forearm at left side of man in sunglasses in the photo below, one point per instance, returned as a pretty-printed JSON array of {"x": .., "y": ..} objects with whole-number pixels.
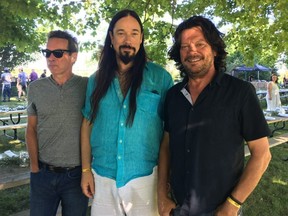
[{"x": 32, "y": 143}]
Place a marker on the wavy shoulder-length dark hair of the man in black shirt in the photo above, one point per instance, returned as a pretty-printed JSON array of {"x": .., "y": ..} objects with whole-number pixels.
[{"x": 211, "y": 34}]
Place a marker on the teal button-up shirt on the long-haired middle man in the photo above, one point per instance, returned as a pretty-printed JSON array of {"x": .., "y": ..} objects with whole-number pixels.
[{"x": 120, "y": 152}]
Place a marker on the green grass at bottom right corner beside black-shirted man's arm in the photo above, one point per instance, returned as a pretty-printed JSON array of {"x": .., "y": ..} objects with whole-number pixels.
[{"x": 270, "y": 198}]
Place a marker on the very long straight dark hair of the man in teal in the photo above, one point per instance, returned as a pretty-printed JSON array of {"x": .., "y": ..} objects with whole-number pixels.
[{"x": 108, "y": 66}]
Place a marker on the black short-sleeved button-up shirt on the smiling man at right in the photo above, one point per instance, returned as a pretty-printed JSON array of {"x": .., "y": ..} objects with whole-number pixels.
[{"x": 207, "y": 140}]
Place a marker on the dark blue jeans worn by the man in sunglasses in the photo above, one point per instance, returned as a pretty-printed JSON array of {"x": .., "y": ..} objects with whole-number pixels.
[{"x": 48, "y": 188}]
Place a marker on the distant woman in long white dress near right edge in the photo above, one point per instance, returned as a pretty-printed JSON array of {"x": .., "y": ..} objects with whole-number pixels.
[{"x": 273, "y": 95}]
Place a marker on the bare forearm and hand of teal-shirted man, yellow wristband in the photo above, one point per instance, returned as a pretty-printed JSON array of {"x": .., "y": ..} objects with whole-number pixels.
[{"x": 87, "y": 181}]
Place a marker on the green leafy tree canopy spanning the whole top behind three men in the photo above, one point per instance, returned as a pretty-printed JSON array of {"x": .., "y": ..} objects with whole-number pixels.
[{"x": 256, "y": 29}]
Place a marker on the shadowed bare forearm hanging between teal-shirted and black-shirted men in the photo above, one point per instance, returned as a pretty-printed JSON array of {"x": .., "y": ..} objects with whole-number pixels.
[{"x": 165, "y": 204}]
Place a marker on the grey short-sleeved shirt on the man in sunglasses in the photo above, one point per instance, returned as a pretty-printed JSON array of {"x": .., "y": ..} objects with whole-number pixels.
[{"x": 58, "y": 111}]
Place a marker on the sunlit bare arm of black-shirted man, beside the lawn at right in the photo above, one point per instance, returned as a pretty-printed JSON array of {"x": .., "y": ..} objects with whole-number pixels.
[{"x": 255, "y": 168}]
